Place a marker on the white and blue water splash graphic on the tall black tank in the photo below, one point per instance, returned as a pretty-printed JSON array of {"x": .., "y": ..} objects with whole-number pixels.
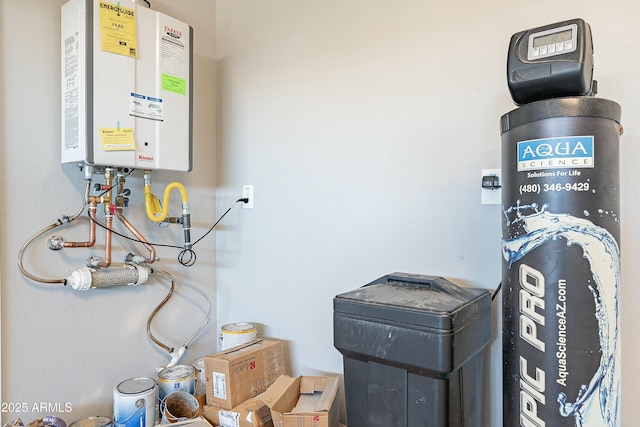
[{"x": 597, "y": 403}]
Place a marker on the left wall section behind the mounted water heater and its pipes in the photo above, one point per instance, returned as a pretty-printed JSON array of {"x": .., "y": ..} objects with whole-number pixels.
[{"x": 61, "y": 346}]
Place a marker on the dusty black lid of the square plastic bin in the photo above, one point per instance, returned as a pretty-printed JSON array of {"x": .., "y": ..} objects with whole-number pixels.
[{"x": 418, "y": 300}]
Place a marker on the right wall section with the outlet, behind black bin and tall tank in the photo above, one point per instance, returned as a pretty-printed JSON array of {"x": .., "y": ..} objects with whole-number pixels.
[{"x": 364, "y": 126}]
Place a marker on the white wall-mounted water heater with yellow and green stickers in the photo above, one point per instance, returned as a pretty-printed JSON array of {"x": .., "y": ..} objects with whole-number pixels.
[{"x": 126, "y": 86}]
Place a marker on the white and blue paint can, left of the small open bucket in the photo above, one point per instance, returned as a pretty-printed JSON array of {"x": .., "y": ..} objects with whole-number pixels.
[{"x": 135, "y": 403}]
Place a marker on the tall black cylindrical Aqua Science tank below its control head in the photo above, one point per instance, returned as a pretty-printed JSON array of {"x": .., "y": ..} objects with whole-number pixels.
[{"x": 561, "y": 260}]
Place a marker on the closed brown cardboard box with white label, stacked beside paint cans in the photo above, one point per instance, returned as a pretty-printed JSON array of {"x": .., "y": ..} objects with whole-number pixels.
[{"x": 240, "y": 373}]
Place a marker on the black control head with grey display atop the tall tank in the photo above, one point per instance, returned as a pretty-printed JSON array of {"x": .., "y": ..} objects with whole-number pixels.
[{"x": 551, "y": 61}]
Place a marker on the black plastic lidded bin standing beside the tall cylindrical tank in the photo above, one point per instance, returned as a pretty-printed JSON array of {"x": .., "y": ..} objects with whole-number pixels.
[{"x": 412, "y": 347}]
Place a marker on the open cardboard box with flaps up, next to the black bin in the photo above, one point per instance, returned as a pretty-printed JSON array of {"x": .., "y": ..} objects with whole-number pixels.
[{"x": 303, "y": 401}]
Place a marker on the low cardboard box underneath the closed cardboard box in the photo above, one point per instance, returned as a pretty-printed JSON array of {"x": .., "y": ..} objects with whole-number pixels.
[{"x": 252, "y": 413}]
